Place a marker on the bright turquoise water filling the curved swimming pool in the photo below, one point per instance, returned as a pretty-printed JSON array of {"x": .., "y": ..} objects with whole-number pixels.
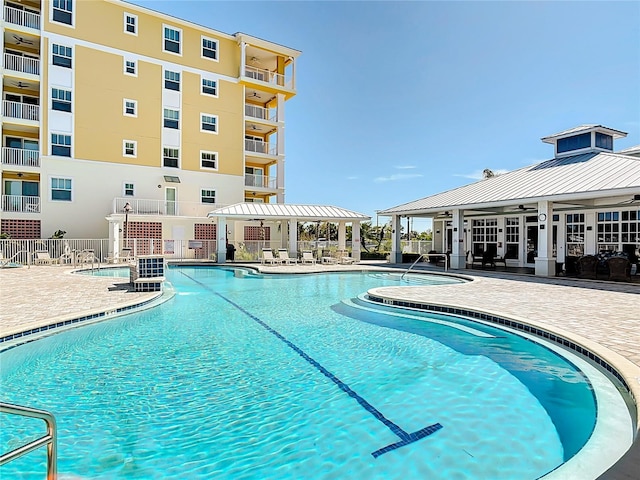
[{"x": 243, "y": 376}]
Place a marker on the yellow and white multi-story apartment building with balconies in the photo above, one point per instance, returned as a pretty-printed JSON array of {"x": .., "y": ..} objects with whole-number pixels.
[{"x": 108, "y": 106}]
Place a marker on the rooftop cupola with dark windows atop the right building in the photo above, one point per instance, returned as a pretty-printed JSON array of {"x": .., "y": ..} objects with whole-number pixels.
[{"x": 583, "y": 139}]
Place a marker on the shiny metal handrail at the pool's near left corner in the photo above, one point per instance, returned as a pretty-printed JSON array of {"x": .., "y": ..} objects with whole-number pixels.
[{"x": 49, "y": 439}]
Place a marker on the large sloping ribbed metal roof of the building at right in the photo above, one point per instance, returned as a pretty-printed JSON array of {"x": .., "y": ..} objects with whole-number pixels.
[{"x": 589, "y": 175}]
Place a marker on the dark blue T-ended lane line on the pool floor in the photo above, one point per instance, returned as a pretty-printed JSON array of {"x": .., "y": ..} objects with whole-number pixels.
[{"x": 405, "y": 437}]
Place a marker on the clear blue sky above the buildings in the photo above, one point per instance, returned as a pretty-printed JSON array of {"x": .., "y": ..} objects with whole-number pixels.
[{"x": 400, "y": 100}]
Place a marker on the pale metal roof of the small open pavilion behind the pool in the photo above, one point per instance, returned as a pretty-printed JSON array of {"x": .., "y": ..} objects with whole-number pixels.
[{"x": 282, "y": 211}]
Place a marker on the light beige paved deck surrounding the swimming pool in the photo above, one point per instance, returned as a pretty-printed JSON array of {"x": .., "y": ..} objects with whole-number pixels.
[{"x": 603, "y": 317}]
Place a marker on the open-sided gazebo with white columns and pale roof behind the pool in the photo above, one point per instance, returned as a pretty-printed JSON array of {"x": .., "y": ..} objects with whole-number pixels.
[{"x": 291, "y": 213}]
